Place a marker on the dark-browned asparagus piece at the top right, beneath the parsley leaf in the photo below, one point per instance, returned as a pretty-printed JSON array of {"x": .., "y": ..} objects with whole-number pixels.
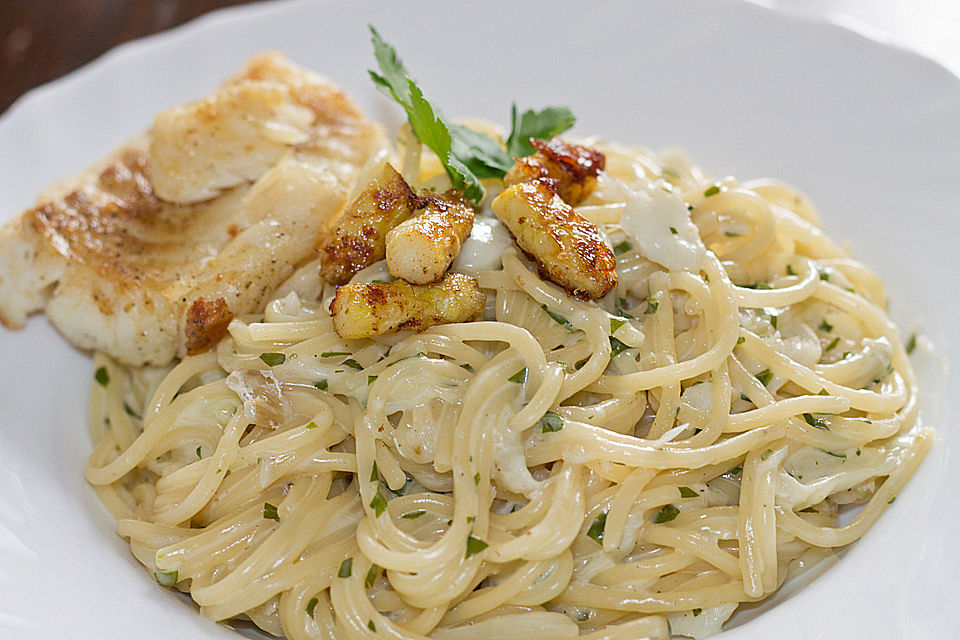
[{"x": 573, "y": 167}]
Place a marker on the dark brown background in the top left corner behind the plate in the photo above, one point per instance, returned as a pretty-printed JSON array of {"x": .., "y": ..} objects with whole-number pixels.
[{"x": 43, "y": 39}]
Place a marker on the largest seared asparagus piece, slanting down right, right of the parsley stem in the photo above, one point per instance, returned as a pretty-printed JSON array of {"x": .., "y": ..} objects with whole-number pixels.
[{"x": 567, "y": 247}]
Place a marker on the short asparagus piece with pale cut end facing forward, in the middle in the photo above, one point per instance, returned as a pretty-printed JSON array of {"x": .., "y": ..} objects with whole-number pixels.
[{"x": 421, "y": 249}]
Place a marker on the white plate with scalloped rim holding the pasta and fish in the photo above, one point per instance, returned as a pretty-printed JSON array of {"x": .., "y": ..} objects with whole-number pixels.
[{"x": 871, "y": 132}]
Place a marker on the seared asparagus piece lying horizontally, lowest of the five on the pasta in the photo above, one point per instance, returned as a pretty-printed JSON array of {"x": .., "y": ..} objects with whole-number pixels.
[{"x": 362, "y": 310}]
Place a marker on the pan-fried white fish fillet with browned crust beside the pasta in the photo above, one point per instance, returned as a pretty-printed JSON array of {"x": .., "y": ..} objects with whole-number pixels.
[{"x": 149, "y": 254}]
